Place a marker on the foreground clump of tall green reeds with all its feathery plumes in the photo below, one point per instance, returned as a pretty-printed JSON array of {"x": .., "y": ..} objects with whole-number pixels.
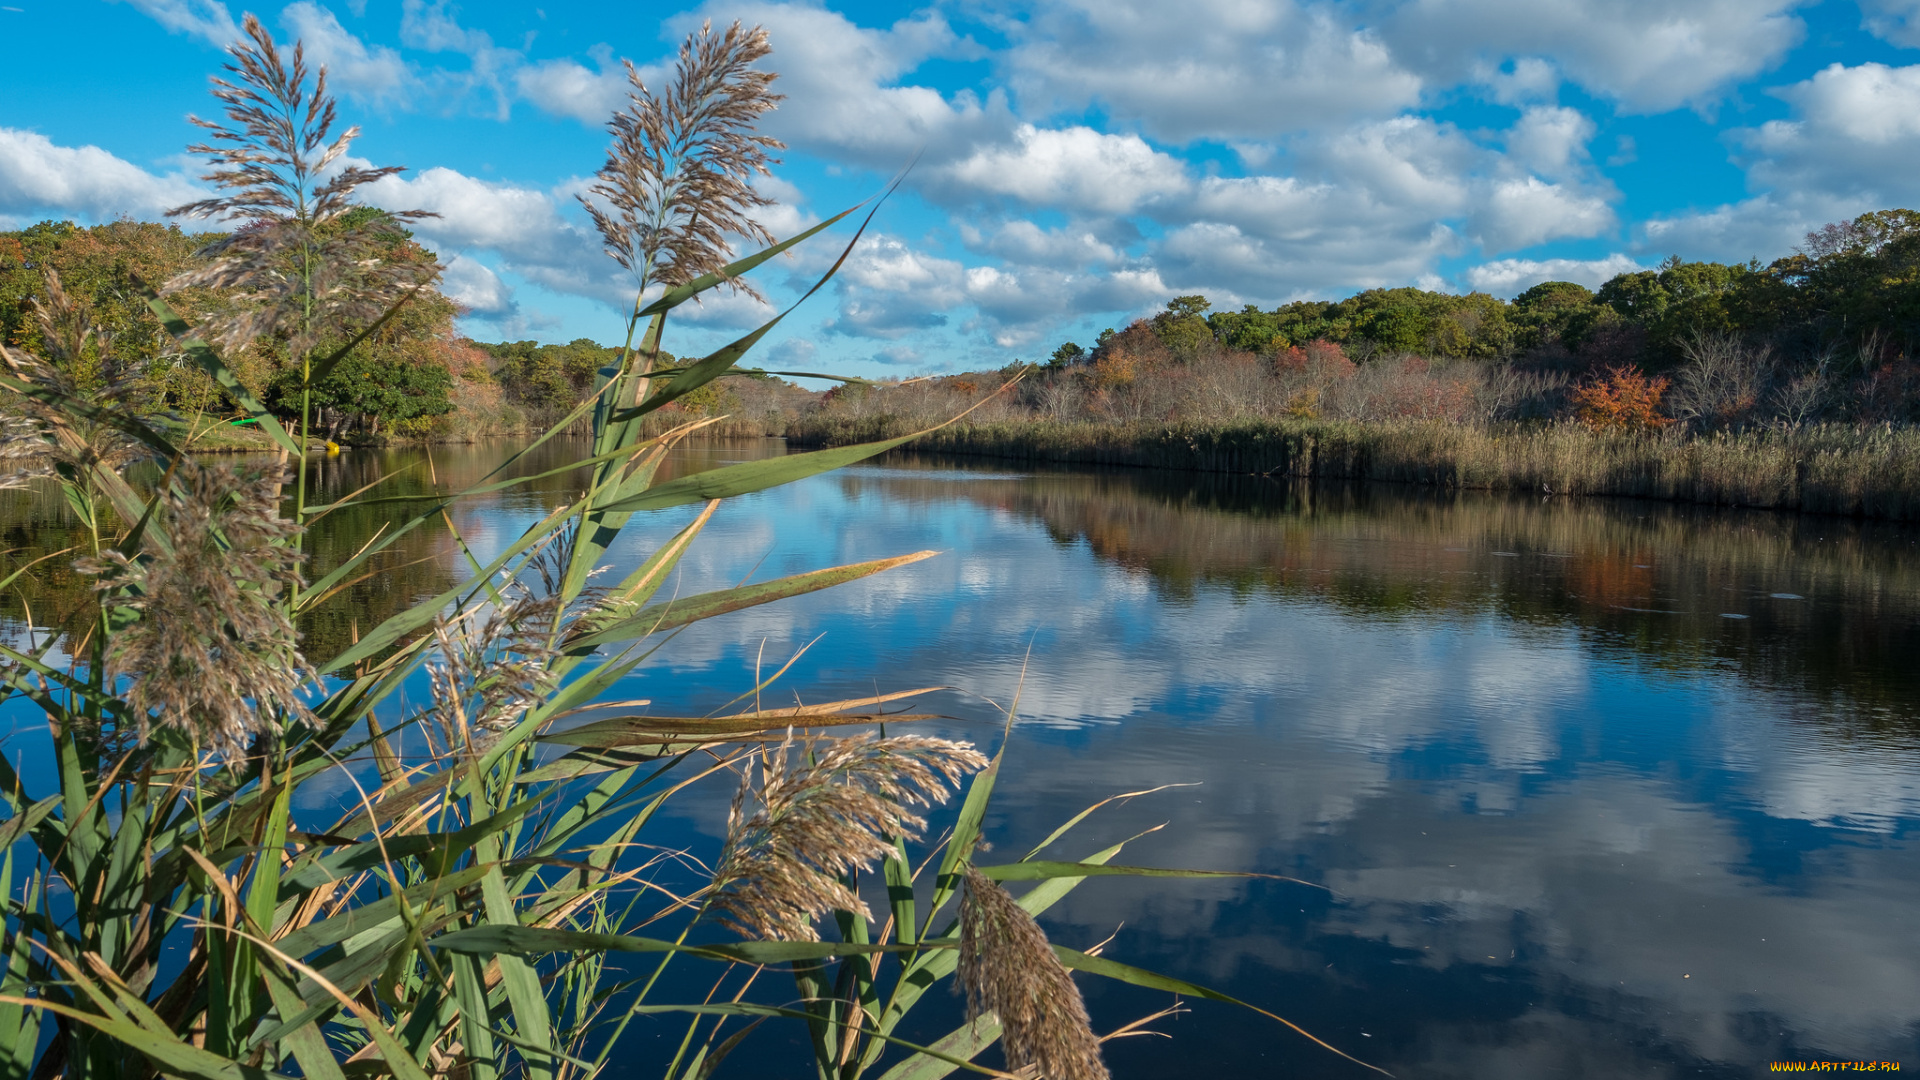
[{"x": 178, "y": 908}]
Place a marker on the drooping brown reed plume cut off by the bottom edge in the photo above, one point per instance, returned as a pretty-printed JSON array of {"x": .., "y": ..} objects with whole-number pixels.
[{"x": 1007, "y": 968}]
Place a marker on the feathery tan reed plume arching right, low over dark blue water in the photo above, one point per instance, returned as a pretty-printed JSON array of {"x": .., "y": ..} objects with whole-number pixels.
[{"x": 821, "y": 818}]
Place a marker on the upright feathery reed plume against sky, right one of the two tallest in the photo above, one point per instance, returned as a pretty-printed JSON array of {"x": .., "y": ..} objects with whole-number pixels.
[{"x": 679, "y": 178}]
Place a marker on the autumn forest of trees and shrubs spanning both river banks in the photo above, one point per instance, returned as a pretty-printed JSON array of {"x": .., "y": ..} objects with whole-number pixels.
[{"x": 1821, "y": 335}]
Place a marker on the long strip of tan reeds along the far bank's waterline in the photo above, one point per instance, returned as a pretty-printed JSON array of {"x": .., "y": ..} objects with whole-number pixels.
[{"x": 1815, "y": 470}]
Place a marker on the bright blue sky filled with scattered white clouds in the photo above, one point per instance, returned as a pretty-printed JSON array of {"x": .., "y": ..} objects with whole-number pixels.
[{"x": 1078, "y": 160}]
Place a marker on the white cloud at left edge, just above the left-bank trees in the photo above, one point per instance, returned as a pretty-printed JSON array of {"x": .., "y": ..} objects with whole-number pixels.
[{"x": 87, "y": 182}]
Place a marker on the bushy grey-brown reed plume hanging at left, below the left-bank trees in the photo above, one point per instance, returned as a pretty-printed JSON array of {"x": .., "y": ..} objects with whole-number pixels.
[{"x": 212, "y": 650}]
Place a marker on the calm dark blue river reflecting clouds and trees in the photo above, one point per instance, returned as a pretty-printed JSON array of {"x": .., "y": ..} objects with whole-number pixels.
[{"x": 1583, "y": 789}]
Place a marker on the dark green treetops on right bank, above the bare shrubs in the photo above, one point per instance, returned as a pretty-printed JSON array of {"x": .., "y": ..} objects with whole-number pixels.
[{"x": 1848, "y": 305}]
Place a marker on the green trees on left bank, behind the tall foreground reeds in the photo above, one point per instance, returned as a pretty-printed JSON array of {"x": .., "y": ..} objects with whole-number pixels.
[{"x": 416, "y": 376}]
